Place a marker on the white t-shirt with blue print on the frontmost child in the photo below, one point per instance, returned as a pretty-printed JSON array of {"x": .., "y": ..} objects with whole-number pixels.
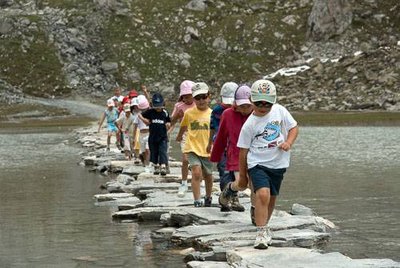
[{"x": 263, "y": 135}]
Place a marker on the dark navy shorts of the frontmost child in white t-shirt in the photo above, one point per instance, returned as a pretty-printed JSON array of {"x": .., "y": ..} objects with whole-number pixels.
[{"x": 263, "y": 177}]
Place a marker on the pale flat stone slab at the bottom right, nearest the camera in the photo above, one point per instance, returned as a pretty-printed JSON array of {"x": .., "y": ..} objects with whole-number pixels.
[{"x": 290, "y": 257}]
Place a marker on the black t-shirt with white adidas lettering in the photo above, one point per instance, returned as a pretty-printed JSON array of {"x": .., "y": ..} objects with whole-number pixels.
[{"x": 157, "y": 127}]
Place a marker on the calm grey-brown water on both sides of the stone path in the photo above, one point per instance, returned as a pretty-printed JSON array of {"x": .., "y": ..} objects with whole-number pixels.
[{"x": 349, "y": 175}]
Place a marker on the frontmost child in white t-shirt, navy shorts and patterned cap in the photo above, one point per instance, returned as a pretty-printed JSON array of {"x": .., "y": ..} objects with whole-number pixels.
[{"x": 264, "y": 142}]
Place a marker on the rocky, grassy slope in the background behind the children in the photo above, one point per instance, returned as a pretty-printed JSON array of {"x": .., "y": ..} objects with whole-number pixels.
[{"x": 66, "y": 48}]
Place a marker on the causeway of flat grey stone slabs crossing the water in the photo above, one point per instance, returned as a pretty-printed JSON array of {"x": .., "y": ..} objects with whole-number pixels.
[{"x": 211, "y": 238}]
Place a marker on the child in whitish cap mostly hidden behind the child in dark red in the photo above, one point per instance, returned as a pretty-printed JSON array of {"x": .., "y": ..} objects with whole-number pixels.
[{"x": 227, "y": 97}]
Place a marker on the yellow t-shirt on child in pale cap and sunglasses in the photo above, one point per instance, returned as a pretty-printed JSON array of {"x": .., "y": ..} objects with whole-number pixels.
[{"x": 198, "y": 131}]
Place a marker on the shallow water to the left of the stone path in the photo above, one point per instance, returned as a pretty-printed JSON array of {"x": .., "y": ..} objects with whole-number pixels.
[{"x": 48, "y": 217}]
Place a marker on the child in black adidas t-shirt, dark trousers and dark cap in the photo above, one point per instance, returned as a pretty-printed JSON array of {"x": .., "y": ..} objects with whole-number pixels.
[{"x": 159, "y": 121}]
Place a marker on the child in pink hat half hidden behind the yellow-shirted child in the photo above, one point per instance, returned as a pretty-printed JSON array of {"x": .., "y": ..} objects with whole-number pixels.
[{"x": 184, "y": 103}]
